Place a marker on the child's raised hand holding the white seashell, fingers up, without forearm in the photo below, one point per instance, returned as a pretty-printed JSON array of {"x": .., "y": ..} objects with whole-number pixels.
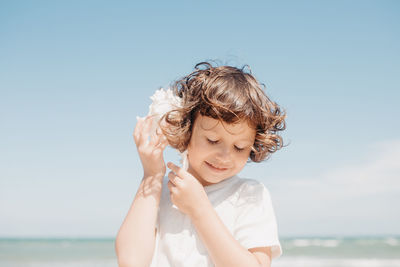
[{"x": 150, "y": 151}]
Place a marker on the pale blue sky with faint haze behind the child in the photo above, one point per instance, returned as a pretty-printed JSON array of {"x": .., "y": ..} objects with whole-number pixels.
[{"x": 75, "y": 74}]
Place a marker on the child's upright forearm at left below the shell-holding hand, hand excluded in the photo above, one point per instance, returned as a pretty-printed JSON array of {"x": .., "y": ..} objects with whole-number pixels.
[{"x": 136, "y": 238}]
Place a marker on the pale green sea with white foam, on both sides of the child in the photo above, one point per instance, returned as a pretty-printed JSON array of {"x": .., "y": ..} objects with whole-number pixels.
[{"x": 298, "y": 252}]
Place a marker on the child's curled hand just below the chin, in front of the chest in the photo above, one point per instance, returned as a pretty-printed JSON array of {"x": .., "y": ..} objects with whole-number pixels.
[{"x": 186, "y": 191}]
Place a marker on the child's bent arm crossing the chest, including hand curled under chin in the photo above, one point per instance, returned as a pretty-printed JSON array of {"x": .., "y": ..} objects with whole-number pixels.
[{"x": 189, "y": 196}]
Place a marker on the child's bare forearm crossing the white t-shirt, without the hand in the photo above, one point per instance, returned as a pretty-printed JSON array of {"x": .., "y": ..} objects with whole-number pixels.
[{"x": 223, "y": 249}]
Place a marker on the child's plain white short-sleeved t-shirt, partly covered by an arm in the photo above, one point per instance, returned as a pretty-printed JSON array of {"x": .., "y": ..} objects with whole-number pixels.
[{"x": 244, "y": 205}]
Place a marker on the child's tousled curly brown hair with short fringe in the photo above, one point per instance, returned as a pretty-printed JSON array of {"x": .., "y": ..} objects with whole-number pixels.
[{"x": 229, "y": 94}]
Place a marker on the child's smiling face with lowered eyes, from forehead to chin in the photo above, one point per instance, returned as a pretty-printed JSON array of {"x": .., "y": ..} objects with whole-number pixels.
[{"x": 218, "y": 150}]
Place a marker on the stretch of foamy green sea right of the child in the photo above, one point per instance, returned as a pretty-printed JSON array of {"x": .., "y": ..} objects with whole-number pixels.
[{"x": 340, "y": 252}]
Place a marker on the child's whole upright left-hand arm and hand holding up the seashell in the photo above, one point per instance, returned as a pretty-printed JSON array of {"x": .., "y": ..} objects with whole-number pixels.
[{"x": 135, "y": 241}]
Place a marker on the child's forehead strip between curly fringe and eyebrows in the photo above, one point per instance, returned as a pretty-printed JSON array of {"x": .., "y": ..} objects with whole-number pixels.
[{"x": 213, "y": 125}]
